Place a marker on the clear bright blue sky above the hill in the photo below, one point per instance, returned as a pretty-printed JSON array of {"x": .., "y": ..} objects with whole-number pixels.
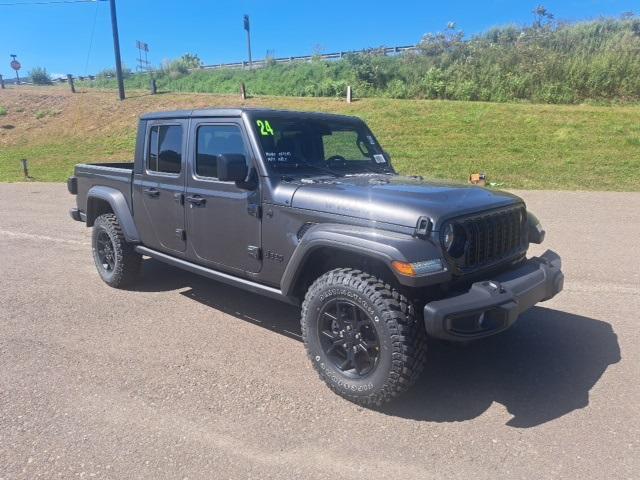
[{"x": 76, "y": 37}]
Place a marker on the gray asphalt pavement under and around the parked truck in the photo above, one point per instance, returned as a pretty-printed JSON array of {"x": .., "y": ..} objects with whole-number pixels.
[{"x": 187, "y": 378}]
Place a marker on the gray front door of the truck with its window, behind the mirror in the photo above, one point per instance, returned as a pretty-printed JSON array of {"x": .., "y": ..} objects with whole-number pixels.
[{"x": 223, "y": 221}]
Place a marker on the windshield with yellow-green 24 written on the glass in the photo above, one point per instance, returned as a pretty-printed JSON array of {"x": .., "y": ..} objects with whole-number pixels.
[{"x": 297, "y": 144}]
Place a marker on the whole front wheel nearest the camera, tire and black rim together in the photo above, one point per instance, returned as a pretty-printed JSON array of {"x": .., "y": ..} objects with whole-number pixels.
[{"x": 361, "y": 336}]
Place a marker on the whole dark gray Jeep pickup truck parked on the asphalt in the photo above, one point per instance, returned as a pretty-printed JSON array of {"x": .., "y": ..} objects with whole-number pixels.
[{"x": 307, "y": 208}]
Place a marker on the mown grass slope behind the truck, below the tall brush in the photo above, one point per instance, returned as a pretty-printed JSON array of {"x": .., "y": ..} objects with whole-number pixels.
[{"x": 517, "y": 145}]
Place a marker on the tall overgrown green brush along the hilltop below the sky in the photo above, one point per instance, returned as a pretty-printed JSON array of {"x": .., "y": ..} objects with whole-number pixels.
[{"x": 547, "y": 62}]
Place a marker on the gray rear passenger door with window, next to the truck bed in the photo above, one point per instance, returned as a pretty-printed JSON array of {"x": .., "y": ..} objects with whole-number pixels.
[{"x": 159, "y": 189}]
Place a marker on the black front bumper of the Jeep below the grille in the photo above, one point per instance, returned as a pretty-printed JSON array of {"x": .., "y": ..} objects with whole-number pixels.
[{"x": 492, "y": 306}]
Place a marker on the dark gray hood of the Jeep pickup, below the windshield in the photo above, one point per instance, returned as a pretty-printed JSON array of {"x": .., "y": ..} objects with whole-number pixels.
[{"x": 396, "y": 199}]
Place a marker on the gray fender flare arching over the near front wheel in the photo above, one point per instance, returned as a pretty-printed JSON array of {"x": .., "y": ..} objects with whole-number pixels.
[{"x": 381, "y": 245}]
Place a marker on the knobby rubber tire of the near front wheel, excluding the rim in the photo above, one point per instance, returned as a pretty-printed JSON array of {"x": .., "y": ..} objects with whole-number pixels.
[{"x": 402, "y": 337}]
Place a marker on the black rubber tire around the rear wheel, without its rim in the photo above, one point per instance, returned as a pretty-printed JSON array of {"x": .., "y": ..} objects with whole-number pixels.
[{"x": 126, "y": 261}]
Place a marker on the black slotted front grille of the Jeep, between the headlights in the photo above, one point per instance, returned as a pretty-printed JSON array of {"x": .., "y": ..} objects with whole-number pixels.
[{"x": 492, "y": 237}]
